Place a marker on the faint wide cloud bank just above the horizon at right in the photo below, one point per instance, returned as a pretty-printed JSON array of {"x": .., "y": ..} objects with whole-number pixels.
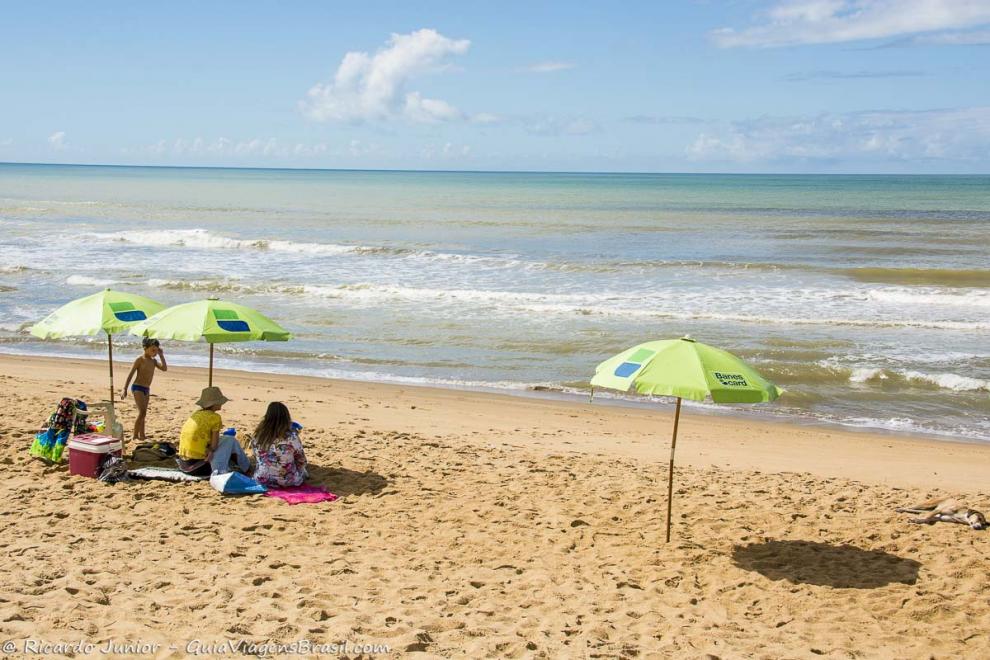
[{"x": 960, "y": 135}]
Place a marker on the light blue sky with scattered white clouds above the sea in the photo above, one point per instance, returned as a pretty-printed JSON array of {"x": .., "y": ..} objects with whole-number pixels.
[{"x": 854, "y": 86}]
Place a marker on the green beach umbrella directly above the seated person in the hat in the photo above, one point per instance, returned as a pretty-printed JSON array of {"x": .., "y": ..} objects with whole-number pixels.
[{"x": 214, "y": 321}]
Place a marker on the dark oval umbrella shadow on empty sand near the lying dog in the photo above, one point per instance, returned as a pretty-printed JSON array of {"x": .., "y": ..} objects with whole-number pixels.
[{"x": 822, "y": 564}]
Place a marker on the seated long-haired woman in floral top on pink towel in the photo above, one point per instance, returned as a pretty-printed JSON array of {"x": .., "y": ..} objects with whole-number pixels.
[{"x": 278, "y": 450}]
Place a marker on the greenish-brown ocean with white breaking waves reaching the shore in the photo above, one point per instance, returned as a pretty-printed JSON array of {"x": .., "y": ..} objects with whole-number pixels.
[{"x": 866, "y": 297}]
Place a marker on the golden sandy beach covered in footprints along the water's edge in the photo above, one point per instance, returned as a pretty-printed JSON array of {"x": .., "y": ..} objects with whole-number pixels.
[{"x": 479, "y": 525}]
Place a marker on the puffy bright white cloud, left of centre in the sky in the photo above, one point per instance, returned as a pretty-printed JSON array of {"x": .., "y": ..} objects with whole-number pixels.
[{"x": 373, "y": 87}]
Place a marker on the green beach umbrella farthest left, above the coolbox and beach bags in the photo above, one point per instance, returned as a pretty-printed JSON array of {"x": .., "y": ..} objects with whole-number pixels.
[{"x": 107, "y": 312}]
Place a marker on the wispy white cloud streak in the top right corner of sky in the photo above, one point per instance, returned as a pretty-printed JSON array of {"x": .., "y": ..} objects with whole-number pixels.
[{"x": 793, "y": 22}]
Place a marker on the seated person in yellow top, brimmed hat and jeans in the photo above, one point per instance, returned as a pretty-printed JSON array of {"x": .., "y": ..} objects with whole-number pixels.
[{"x": 201, "y": 450}]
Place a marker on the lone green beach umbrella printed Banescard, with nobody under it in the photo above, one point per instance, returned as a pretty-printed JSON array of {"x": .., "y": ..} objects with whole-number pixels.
[{"x": 686, "y": 369}]
